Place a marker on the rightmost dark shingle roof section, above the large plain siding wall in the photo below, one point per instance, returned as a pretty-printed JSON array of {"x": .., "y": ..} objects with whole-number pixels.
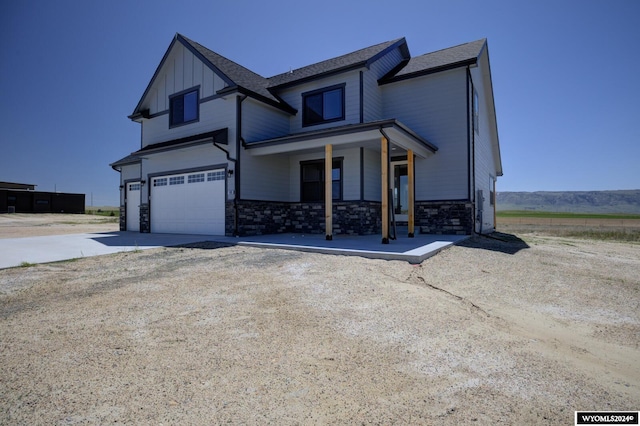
[{"x": 429, "y": 62}]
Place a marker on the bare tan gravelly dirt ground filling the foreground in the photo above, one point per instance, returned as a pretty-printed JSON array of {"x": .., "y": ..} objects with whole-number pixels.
[{"x": 520, "y": 331}]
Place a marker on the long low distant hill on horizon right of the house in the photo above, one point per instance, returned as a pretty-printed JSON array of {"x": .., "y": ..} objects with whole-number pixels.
[{"x": 624, "y": 201}]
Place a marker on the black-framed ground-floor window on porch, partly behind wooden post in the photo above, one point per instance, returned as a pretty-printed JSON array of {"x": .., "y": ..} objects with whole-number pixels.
[{"x": 312, "y": 180}]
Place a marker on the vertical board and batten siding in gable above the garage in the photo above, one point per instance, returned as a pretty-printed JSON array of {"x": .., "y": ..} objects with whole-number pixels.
[{"x": 180, "y": 71}]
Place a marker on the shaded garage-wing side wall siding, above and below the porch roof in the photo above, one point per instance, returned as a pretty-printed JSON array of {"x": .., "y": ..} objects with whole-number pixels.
[{"x": 264, "y": 178}]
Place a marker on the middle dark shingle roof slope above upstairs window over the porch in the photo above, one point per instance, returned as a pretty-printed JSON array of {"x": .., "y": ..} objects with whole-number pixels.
[{"x": 362, "y": 57}]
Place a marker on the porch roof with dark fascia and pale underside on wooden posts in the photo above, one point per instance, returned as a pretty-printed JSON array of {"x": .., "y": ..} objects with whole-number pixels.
[{"x": 362, "y": 135}]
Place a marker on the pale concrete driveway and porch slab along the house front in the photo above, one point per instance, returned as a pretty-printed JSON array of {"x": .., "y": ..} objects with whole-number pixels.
[{"x": 14, "y": 251}]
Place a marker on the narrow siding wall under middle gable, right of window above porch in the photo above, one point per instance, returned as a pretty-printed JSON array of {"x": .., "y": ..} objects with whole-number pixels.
[{"x": 372, "y": 93}]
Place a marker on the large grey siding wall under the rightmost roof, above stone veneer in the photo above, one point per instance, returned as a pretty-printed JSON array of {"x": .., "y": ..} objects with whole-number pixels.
[{"x": 435, "y": 107}]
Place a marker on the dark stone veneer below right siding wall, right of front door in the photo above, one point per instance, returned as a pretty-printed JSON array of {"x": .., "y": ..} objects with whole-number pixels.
[{"x": 444, "y": 217}]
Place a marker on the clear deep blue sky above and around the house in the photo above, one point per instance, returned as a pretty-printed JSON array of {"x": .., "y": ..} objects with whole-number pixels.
[{"x": 565, "y": 76}]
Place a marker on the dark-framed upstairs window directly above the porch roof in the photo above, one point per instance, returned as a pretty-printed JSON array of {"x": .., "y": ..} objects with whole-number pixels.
[{"x": 323, "y": 105}]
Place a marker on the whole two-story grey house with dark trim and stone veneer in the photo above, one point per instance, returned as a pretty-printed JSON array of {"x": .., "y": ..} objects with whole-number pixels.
[{"x": 350, "y": 145}]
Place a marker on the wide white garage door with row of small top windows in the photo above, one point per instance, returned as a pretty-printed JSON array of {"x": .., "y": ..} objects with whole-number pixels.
[{"x": 190, "y": 203}]
